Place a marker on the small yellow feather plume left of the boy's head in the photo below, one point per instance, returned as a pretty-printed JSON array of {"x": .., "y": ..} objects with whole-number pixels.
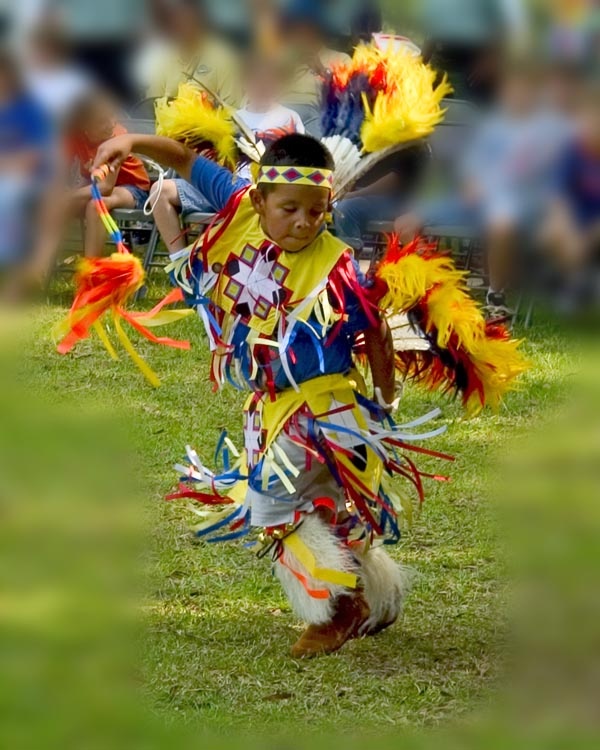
[{"x": 192, "y": 119}]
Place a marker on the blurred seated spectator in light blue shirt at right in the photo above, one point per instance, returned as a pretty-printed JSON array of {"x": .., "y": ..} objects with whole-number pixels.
[{"x": 505, "y": 178}]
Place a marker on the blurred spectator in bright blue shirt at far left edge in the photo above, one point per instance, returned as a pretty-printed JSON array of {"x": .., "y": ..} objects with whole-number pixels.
[{"x": 25, "y": 163}]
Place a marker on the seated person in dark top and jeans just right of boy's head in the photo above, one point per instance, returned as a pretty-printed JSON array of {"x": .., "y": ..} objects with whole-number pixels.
[{"x": 379, "y": 195}]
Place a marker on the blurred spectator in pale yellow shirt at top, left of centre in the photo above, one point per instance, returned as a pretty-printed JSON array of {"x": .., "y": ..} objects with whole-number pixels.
[{"x": 194, "y": 53}]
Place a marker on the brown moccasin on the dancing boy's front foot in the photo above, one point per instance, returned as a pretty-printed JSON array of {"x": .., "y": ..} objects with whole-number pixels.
[{"x": 352, "y": 612}]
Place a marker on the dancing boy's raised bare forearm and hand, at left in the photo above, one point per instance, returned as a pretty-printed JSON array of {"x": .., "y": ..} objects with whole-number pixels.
[{"x": 165, "y": 151}]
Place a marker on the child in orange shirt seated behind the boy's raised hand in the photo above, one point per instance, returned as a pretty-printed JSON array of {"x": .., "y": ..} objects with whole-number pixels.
[{"x": 92, "y": 124}]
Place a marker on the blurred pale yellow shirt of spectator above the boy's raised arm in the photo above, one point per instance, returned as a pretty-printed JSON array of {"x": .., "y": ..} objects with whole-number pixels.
[{"x": 215, "y": 65}]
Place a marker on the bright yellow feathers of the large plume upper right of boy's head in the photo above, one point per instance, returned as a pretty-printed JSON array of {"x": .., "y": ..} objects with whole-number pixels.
[{"x": 409, "y": 108}]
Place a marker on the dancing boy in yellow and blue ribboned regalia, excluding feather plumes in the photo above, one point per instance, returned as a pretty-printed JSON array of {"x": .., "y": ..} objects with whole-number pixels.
[{"x": 285, "y": 306}]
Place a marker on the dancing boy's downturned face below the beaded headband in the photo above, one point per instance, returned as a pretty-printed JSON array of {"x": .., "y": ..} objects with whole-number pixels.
[{"x": 292, "y": 215}]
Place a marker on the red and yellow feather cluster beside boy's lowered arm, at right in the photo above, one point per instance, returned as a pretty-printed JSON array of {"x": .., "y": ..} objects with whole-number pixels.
[{"x": 479, "y": 359}]
